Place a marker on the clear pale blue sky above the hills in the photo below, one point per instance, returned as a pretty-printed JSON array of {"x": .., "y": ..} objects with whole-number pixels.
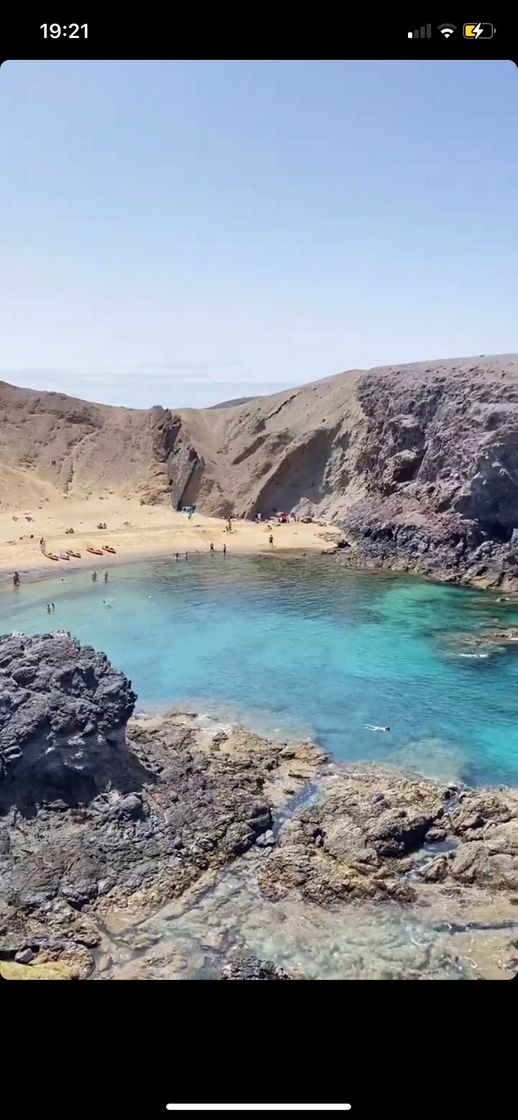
[{"x": 181, "y": 234}]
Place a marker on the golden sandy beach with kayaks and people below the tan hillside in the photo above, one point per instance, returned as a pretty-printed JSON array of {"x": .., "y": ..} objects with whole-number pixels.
[{"x": 137, "y": 533}]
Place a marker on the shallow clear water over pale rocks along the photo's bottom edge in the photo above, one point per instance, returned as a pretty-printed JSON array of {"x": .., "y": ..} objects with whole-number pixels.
[{"x": 192, "y": 939}]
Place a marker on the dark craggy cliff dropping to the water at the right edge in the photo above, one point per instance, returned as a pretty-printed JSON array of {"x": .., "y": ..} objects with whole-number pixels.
[{"x": 439, "y": 462}]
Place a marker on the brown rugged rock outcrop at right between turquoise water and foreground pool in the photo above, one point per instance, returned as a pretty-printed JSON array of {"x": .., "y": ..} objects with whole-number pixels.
[{"x": 374, "y": 833}]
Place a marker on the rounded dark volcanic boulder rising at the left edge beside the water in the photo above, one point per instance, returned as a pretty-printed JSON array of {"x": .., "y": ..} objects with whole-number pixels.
[{"x": 63, "y": 713}]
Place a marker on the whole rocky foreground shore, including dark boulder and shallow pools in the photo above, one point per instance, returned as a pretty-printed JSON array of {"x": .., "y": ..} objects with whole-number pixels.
[{"x": 107, "y": 822}]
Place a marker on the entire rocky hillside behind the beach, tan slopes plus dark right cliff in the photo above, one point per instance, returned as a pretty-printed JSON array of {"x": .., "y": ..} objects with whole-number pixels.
[{"x": 419, "y": 464}]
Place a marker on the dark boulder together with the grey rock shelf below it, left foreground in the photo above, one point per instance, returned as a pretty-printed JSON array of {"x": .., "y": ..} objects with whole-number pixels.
[{"x": 96, "y": 815}]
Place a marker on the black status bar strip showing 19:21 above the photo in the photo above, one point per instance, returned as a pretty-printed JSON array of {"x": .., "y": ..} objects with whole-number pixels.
[{"x": 146, "y": 33}]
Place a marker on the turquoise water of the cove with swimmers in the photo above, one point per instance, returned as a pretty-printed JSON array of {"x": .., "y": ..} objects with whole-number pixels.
[{"x": 307, "y": 648}]
